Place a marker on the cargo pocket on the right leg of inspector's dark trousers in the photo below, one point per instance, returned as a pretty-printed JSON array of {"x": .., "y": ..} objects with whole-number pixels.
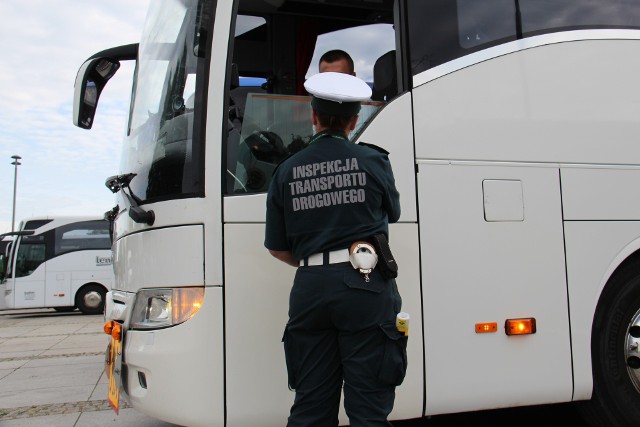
[{"x": 393, "y": 366}]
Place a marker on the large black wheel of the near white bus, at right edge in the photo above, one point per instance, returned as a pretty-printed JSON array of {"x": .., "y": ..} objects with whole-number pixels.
[{"x": 615, "y": 339}]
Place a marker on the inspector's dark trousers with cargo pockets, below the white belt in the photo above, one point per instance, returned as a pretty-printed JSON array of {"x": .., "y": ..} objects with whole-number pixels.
[{"x": 341, "y": 329}]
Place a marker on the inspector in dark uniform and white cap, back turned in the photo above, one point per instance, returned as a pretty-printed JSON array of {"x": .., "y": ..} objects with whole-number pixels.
[{"x": 322, "y": 202}]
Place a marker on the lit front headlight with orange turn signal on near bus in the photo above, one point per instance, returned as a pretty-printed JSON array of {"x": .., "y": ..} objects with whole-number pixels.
[{"x": 164, "y": 307}]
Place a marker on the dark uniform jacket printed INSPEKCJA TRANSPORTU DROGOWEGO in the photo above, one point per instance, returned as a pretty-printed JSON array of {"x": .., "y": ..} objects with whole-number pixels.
[{"x": 329, "y": 195}]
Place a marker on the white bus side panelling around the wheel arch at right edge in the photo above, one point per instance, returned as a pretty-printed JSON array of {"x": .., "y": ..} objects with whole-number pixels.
[{"x": 602, "y": 230}]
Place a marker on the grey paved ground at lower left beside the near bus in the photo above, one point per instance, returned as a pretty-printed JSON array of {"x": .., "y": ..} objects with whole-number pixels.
[{"x": 52, "y": 372}]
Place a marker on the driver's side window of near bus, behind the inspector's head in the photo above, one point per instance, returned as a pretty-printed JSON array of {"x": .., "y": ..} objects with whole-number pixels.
[{"x": 270, "y": 114}]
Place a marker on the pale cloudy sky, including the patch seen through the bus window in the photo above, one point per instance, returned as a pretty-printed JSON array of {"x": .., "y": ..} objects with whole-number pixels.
[{"x": 43, "y": 43}]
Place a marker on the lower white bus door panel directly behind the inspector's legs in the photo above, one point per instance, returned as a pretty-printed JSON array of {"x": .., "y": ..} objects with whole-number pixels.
[{"x": 256, "y": 300}]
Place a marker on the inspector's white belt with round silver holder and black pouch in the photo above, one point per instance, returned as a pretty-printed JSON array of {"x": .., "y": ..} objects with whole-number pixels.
[{"x": 363, "y": 255}]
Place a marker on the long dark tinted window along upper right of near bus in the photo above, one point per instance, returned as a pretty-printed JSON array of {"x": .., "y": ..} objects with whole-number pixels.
[{"x": 443, "y": 30}]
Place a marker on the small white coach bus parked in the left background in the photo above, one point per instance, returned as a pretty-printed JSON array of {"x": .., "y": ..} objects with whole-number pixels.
[{"x": 62, "y": 263}]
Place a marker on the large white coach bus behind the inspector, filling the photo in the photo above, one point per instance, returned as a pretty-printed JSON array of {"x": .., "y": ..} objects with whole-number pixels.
[{"x": 512, "y": 127}]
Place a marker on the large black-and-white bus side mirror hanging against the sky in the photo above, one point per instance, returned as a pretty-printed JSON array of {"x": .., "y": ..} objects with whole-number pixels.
[{"x": 92, "y": 77}]
